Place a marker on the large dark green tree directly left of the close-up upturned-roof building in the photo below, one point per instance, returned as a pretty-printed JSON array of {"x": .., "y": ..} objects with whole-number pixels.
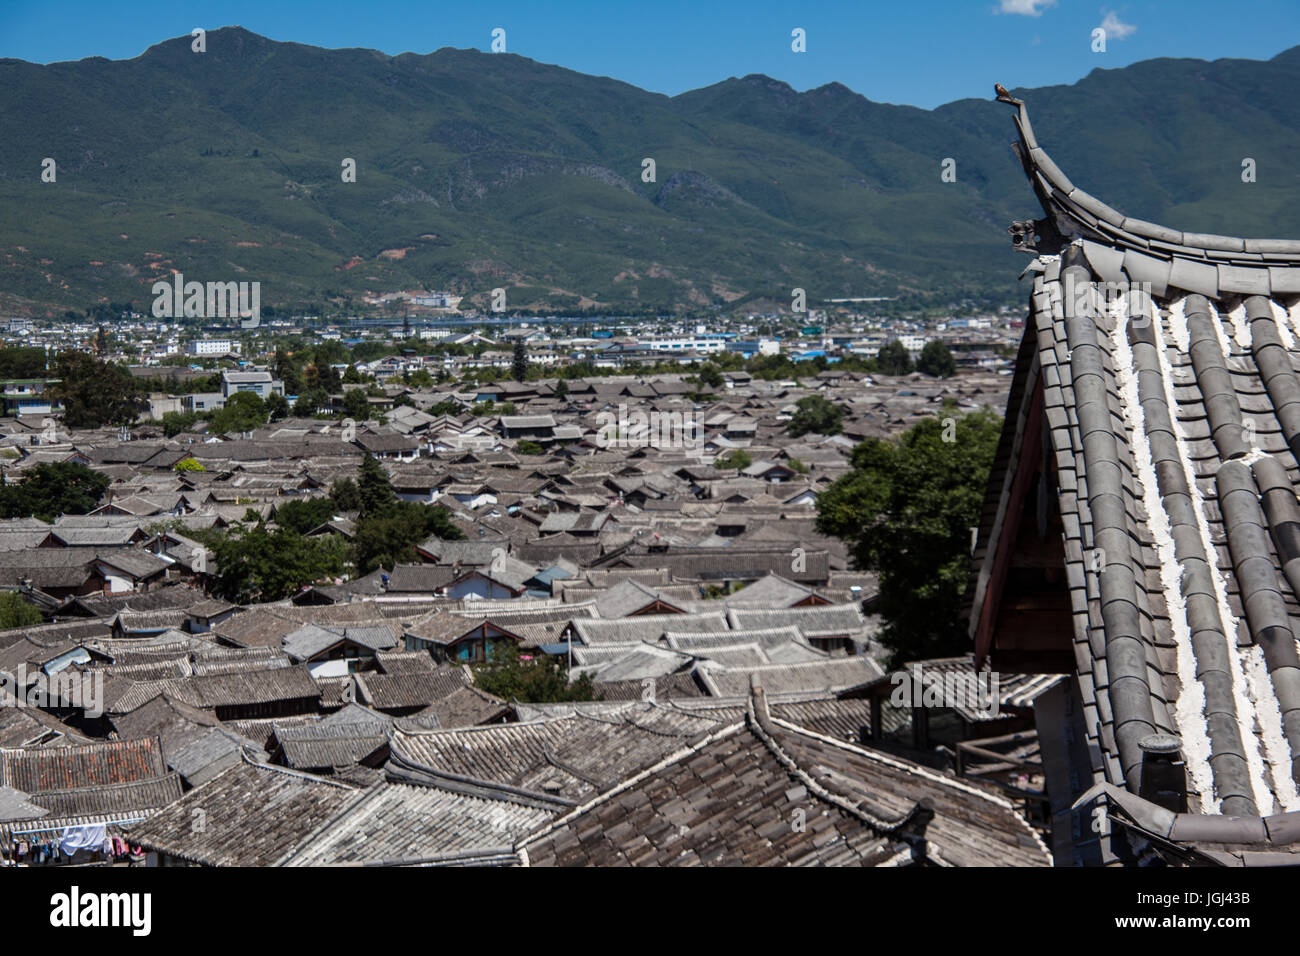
[{"x": 905, "y": 511}]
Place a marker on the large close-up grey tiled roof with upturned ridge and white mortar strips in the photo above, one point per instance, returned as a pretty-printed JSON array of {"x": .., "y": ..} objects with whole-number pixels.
[{"x": 1165, "y": 366}]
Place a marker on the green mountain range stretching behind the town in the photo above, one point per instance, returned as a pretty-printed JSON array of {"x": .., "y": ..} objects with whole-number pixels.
[{"x": 480, "y": 171}]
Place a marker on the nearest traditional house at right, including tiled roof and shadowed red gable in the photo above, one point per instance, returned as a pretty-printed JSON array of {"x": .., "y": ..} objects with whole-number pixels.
[{"x": 1142, "y": 531}]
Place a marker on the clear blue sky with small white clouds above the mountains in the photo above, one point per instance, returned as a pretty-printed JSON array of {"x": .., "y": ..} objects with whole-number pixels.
[{"x": 925, "y": 53}]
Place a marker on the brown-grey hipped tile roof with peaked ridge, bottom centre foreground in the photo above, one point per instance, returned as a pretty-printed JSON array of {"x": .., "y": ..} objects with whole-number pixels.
[{"x": 764, "y": 793}]
